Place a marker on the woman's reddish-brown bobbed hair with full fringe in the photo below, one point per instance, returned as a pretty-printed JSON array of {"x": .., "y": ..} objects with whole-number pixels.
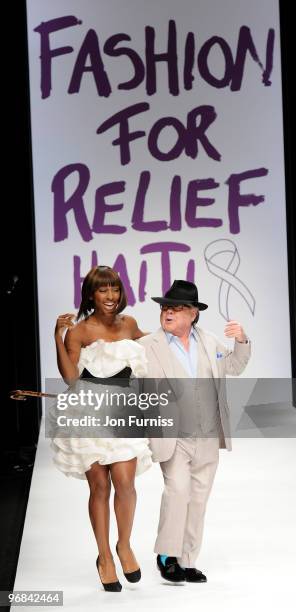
[{"x": 99, "y": 277}]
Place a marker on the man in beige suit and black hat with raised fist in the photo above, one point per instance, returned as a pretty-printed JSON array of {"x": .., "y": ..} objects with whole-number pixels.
[{"x": 189, "y": 461}]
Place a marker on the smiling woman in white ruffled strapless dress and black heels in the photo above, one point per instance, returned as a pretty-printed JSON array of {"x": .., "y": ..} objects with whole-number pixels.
[{"x": 102, "y": 345}]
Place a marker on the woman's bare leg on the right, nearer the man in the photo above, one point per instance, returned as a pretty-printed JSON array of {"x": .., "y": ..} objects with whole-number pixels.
[{"x": 123, "y": 478}]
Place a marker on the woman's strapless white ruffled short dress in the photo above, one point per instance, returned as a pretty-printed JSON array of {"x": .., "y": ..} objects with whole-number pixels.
[{"x": 74, "y": 456}]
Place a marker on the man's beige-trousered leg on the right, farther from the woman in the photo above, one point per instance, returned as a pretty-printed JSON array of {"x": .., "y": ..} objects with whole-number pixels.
[{"x": 203, "y": 469}]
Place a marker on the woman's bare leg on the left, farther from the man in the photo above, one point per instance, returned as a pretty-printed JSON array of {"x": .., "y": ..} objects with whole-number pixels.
[{"x": 99, "y": 512}]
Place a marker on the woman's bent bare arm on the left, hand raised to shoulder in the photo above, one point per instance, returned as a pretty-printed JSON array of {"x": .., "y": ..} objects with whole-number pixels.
[{"x": 68, "y": 351}]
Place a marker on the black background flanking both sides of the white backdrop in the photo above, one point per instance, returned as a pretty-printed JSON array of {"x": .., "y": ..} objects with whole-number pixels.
[{"x": 20, "y": 344}]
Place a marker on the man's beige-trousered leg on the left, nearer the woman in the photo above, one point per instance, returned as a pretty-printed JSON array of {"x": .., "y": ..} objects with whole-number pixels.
[{"x": 174, "y": 502}]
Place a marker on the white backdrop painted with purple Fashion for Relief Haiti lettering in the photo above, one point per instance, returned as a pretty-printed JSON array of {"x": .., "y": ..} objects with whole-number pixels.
[{"x": 245, "y": 132}]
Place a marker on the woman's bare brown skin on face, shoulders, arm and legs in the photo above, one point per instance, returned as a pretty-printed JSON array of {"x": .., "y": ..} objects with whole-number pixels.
[{"x": 103, "y": 324}]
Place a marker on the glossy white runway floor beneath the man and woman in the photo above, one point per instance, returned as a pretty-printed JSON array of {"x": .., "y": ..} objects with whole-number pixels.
[{"x": 249, "y": 545}]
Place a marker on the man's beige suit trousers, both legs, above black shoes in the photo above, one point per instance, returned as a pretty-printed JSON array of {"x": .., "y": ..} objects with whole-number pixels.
[{"x": 188, "y": 478}]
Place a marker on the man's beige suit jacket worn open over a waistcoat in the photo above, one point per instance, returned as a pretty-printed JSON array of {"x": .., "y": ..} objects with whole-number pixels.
[{"x": 162, "y": 363}]
